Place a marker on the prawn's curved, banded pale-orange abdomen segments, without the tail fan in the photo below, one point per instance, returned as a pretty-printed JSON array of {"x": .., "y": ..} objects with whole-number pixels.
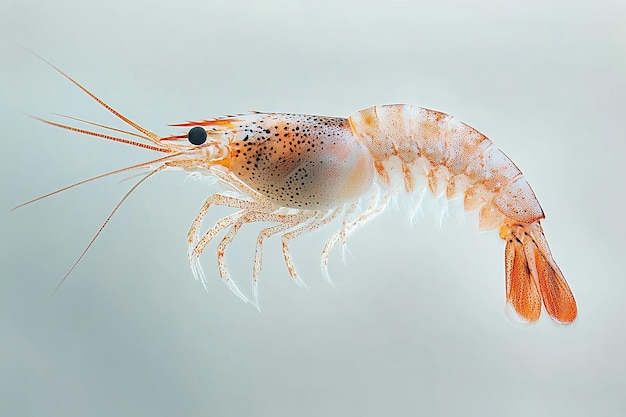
[{"x": 457, "y": 159}]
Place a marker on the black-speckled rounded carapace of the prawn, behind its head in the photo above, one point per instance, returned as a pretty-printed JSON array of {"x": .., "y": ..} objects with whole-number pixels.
[{"x": 301, "y": 161}]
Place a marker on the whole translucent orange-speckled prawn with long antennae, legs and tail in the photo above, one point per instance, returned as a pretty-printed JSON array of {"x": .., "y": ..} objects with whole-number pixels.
[{"x": 301, "y": 172}]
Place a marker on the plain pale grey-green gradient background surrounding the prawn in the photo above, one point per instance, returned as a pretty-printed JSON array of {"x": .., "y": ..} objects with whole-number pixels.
[{"x": 415, "y": 323}]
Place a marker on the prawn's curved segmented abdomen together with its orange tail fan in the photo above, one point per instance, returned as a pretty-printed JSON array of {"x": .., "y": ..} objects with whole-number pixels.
[{"x": 458, "y": 160}]
